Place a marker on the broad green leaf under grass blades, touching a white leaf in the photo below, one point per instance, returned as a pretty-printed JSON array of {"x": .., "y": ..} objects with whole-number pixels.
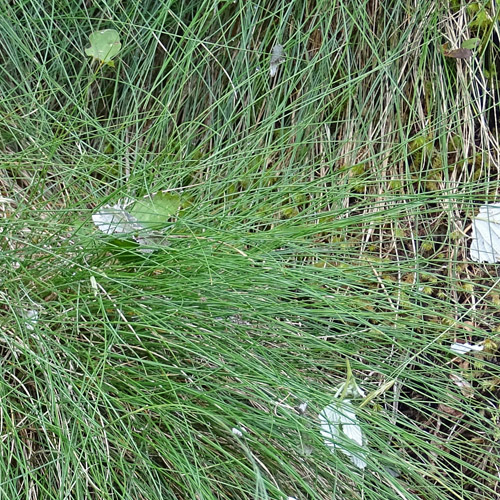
[{"x": 155, "y": 212}]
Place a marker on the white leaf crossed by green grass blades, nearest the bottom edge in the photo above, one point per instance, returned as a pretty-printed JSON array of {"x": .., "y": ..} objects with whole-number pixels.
[{"x": 340, "y": 429}]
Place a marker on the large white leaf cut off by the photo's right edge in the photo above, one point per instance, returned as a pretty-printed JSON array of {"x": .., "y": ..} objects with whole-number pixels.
[{"x": 485, "y": 246}]
